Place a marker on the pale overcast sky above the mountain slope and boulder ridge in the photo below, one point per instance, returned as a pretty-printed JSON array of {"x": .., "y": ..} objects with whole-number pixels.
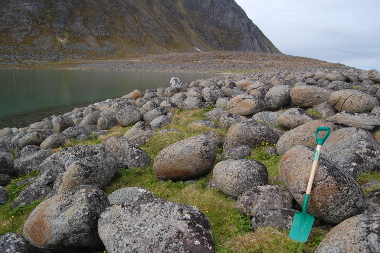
[{"x": 345, "y": 31}]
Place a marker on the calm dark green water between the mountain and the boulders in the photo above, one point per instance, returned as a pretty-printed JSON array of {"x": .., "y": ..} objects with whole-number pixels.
[{"x": 28, "y": 96}]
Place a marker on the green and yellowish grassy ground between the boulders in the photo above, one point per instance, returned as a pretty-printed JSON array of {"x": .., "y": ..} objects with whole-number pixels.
[{"x": 231, "y": 230}]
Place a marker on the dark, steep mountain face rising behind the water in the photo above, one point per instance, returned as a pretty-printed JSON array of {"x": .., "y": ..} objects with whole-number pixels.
[{"x": 95, "y": 28}]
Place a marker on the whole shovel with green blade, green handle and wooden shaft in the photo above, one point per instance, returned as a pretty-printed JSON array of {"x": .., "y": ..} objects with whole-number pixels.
[{"x": 303, "y": 222}]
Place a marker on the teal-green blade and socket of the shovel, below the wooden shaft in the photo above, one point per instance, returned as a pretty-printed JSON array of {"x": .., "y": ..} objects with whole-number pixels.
[{"x": 302, "y": 224}]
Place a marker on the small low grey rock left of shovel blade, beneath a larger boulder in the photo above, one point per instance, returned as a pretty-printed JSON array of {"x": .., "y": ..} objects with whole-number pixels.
[{"x": 281, "y": 218}]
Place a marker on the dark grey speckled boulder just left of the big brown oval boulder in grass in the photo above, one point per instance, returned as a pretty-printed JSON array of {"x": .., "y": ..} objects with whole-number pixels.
[{"x": 129, "y": 154}]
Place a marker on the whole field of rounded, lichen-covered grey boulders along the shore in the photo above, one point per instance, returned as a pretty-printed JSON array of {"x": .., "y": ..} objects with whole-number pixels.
[{"x": 281, "y": 108}]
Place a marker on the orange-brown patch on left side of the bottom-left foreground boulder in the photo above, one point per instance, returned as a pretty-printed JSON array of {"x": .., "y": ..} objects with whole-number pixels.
[{"x": 37, "y": 228}]
